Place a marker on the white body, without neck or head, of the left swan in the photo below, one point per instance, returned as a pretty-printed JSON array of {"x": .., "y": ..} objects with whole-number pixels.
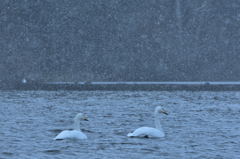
[{"x": 70, "y": 134}]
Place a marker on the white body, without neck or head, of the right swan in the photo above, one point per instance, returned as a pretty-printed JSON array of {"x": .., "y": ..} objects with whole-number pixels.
[{"x": 146, "y": 132}]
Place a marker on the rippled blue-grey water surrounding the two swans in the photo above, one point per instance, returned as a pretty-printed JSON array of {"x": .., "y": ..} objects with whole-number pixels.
[{"x": 199, "y": 125}]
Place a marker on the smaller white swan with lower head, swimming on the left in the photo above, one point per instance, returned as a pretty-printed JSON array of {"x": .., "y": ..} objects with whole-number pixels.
[{"x": 73, "y": 134}]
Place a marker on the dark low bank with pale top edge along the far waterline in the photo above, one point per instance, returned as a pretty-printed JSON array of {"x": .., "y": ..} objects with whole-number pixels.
[{"x": 124, "y": 86}]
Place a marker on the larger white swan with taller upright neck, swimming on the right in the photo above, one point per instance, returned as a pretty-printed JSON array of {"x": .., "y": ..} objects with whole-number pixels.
[{"x": 148, "y": 131}]
